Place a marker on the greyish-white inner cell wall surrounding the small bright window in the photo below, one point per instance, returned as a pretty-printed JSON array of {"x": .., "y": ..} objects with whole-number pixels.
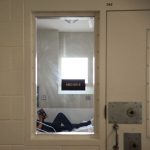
[{"x": 50, "y": 49}]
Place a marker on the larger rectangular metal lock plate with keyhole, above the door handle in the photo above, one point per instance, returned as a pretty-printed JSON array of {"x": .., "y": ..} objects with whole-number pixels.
[{"x": 125, "y": 112}]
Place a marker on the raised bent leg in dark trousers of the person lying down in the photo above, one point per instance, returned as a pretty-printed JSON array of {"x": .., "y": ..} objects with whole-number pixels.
[{"x": 62, "y": 119}]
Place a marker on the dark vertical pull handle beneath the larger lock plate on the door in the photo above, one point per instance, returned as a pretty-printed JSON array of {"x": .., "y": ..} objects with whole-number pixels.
[{"x": 116, "y": 146}]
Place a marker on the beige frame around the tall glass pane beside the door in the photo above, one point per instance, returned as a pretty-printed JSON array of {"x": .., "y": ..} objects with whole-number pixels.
[{"x": 59, "y": 138}]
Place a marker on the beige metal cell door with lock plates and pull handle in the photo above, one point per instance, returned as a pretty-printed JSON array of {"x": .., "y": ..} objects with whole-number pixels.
[{"x": 128, "y": 80}]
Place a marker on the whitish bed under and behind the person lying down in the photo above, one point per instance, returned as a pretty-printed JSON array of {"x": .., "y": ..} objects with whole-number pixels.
[{"x": 75, "y": 115}]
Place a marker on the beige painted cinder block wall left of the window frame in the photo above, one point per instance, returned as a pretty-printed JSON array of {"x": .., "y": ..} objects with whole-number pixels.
[{"x": 11, "y": 75}]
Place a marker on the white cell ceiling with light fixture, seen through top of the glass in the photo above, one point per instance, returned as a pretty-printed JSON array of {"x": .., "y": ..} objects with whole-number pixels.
[{"x": 81, "y": 24}]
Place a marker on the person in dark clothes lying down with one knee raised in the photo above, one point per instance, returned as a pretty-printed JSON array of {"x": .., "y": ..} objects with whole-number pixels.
[{"x": 60, "y": 123}]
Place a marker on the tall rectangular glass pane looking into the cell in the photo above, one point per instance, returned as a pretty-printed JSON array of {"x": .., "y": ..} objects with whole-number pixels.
[{"x": 65, "y": 64}]
